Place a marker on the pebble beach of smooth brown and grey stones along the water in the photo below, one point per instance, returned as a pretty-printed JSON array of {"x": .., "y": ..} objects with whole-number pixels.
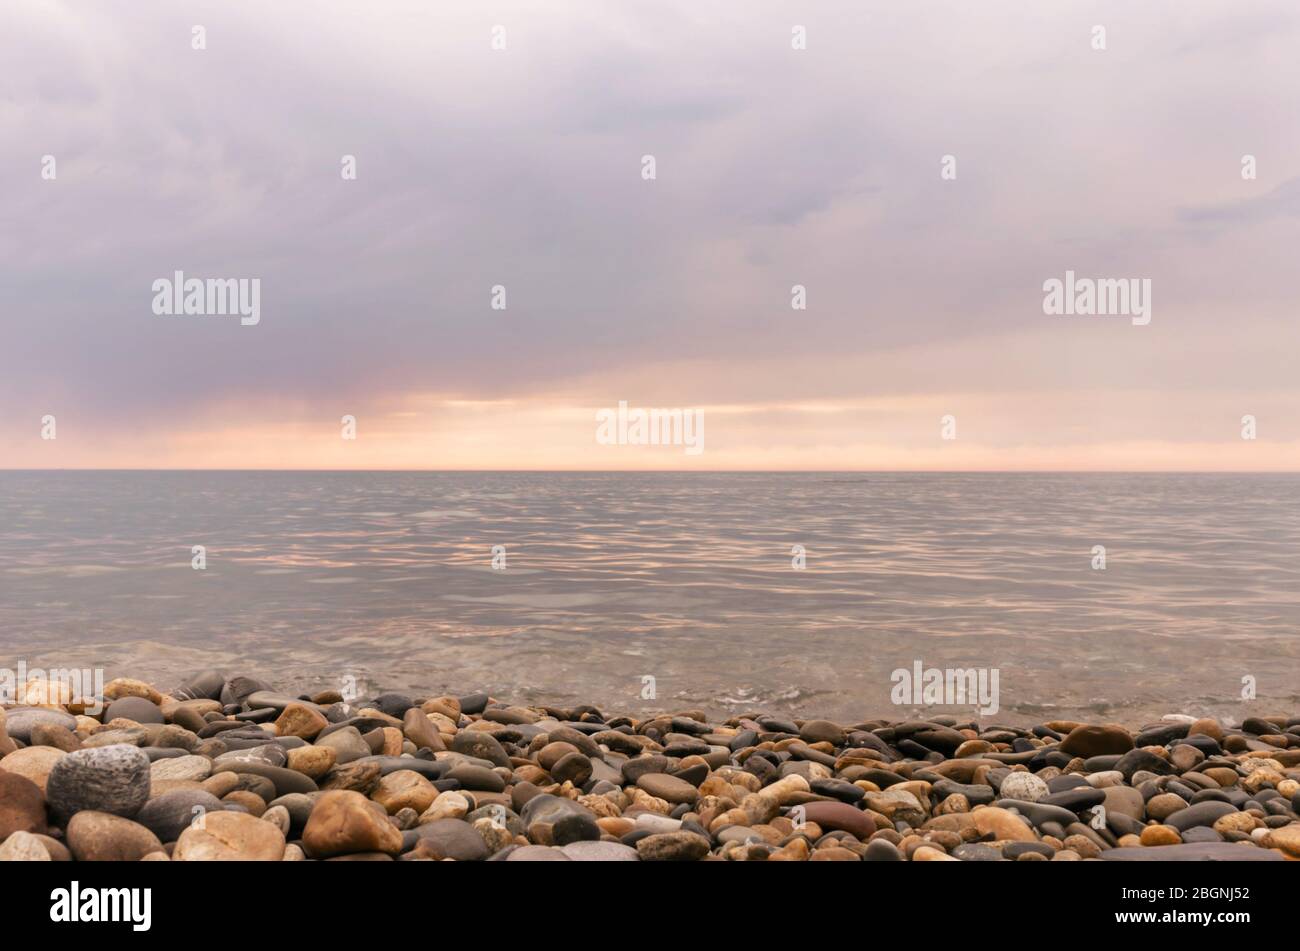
[{"x": 229, "y": 770}]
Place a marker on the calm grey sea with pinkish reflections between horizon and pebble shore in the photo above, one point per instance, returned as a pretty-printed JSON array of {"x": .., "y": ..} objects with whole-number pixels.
[{"x": 687, "y": 579}]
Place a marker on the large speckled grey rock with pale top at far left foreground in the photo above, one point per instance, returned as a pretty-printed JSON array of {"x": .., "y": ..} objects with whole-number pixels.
[{"x": 109, "y": 779}]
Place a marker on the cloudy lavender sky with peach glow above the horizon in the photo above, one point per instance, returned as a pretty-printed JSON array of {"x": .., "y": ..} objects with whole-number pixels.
[{"x": 523, "y": 168}]
